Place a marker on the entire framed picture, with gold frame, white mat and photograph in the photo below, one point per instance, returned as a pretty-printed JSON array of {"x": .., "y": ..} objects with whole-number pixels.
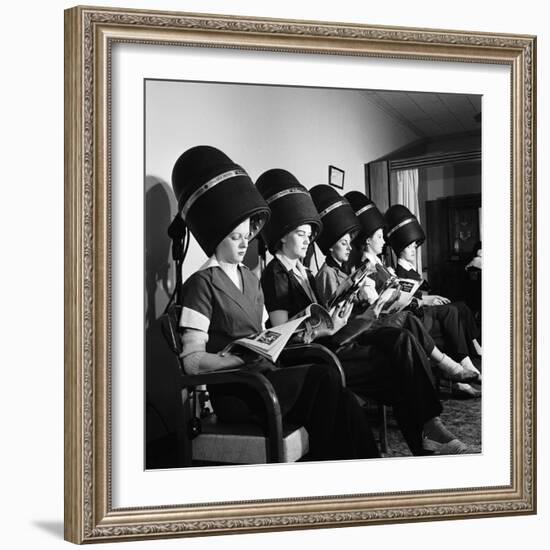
[{"x": 299, "y": 274}]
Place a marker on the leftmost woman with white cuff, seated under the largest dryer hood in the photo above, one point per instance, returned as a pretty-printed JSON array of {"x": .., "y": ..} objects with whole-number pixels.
[{"x": 223, "y": 301}]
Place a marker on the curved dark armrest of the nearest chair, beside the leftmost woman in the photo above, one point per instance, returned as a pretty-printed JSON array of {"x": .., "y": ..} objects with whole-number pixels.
[{"x": 259, "y": 383}]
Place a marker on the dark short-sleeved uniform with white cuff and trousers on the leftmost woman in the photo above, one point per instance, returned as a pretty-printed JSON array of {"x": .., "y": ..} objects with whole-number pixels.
[{"x": 312, "y": 396}]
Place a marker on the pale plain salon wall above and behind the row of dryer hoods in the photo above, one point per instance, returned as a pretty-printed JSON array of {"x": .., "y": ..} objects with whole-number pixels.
[{"x": 300, "y": 129}]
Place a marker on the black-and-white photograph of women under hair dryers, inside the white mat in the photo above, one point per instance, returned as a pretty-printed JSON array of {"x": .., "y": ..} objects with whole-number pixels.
[{"x": 243, "y": 232}]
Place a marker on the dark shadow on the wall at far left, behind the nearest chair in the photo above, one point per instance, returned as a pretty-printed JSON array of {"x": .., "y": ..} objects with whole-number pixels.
[{"x": 163, "y": 403}]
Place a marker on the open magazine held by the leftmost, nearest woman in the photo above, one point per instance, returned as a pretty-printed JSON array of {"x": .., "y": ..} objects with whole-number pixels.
[{"x": 271, "y": 342}]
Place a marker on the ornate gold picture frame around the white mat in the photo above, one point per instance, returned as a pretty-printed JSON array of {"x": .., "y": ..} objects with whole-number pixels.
[{"x": 90, "y": 35}]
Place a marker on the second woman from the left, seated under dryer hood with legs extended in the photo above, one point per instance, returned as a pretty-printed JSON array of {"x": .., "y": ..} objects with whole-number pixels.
[{"x": 395, "y": 368}]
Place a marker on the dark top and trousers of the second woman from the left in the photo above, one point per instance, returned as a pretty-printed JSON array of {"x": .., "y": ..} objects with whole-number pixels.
[{"x": 386, "y": 363}]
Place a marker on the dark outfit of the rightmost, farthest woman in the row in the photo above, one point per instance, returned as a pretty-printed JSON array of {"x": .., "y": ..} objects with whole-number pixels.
[{"x": 453, "y": 324}]
